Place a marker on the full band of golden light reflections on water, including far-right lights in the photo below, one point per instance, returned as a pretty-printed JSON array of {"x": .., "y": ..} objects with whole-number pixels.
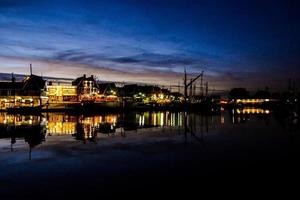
[{"x": 35, "y": 129}]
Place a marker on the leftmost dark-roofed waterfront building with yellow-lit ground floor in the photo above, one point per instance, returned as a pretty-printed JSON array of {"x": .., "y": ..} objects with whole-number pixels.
[{"x": 25, "y": 93}]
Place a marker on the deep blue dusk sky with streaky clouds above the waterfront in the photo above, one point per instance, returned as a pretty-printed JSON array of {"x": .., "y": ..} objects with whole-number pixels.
[{"x": 253, "y": 43}]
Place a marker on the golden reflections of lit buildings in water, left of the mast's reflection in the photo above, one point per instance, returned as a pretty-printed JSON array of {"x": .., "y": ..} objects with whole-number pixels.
[{"x": 84, "y": 128}]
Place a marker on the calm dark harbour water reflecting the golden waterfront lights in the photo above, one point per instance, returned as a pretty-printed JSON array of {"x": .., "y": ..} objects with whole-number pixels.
[{"x": 58, "y": 155}]
